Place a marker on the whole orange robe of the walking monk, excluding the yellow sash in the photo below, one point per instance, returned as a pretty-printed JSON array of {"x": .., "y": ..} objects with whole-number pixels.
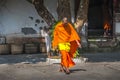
[{"x": 62, "y": 34}]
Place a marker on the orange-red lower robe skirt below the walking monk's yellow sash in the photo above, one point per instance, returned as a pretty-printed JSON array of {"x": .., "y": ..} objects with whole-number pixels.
[{"x": 66, "y": 60}]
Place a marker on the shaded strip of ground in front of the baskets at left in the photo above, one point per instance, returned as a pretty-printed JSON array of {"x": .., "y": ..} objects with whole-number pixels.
[{"x": 25, "y": 58}]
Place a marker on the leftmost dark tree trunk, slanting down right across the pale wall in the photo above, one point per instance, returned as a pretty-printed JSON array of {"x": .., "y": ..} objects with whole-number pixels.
[{"x": 43, "y": 12}]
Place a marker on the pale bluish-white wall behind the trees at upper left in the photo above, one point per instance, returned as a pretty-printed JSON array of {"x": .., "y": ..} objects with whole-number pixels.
[{"x": 14, "y": 15}]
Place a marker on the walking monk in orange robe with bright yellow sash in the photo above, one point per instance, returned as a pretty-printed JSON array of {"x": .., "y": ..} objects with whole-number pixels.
[{"x": 66, "y": 39}]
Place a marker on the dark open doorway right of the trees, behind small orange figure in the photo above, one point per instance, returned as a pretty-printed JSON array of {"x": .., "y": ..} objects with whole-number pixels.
[{"x": 99, "y": 12}]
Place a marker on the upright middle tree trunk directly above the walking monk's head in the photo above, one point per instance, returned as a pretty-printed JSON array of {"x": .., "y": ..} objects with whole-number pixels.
[{"x": 63, "y": 9}]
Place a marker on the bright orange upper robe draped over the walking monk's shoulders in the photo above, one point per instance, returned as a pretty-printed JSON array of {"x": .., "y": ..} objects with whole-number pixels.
[{"x": 64, "y": 34}]
